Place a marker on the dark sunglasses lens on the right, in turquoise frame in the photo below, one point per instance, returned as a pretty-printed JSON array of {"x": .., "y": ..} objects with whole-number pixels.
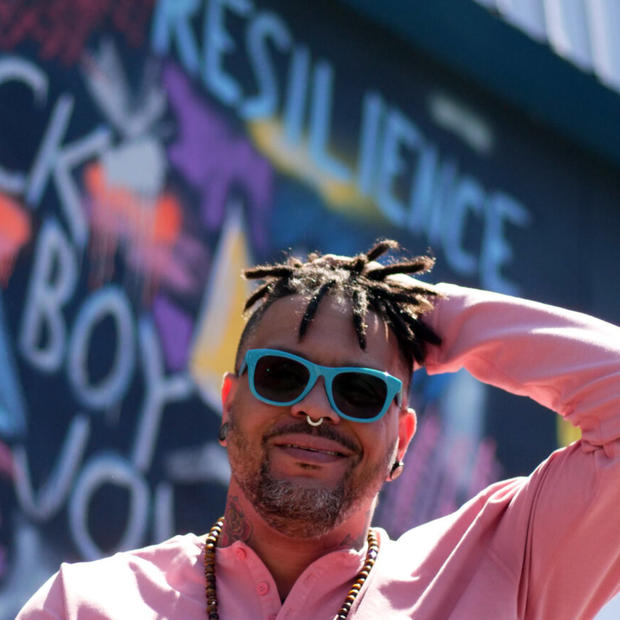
[{"x": 359, "y": 395}]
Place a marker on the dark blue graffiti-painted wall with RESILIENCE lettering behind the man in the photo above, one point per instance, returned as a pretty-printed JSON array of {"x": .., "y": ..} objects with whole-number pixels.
[{"x": 151, "y": 150}]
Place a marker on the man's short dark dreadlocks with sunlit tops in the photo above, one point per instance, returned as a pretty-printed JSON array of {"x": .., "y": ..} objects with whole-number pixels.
[{"x": 358, "y": 279}]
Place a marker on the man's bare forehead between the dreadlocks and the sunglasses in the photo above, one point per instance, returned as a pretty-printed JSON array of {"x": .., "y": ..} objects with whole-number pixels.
[{"x": 330, "y": 338}]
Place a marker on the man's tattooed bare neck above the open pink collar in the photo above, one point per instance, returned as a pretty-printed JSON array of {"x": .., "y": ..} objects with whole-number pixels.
[{"x": 285, "y": 556}]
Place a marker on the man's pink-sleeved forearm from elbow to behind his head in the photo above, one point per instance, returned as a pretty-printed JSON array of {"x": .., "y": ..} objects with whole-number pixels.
[{"x": 567, "y": 361}]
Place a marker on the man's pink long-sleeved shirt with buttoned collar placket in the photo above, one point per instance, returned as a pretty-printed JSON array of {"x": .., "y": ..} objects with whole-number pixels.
[{"x": 544, "y": 547}]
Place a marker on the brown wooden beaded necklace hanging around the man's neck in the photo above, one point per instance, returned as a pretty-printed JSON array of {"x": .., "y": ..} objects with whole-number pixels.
[{"x": 209, "y": 565}]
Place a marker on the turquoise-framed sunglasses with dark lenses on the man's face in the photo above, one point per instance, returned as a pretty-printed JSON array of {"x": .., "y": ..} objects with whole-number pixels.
[{"x": 358, "y": 394}]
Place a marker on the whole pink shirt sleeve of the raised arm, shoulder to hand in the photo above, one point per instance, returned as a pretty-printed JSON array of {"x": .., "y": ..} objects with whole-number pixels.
[{"x": 560, "y": 532}]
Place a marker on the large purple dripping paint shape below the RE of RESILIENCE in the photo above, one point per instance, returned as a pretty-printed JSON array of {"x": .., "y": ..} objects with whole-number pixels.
[{"x": 214, "y": 159}]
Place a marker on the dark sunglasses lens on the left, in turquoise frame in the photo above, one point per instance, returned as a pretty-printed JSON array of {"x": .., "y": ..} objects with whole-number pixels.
[{"x": 280, "y": 379}]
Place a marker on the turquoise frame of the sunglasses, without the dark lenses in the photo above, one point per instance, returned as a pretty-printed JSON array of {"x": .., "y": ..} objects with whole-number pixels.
[{"x": 393, "y": 385}]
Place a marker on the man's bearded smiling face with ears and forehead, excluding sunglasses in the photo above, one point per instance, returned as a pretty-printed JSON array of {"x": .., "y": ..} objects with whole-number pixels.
[{"x": 304, "y": 480}]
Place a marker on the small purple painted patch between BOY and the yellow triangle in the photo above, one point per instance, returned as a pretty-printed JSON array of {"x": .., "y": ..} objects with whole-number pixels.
[{"x": 175, "y": 329}]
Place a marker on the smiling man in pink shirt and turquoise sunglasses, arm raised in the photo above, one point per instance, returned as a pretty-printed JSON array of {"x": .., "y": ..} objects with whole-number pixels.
[{"x": 316, "y": 419}]
